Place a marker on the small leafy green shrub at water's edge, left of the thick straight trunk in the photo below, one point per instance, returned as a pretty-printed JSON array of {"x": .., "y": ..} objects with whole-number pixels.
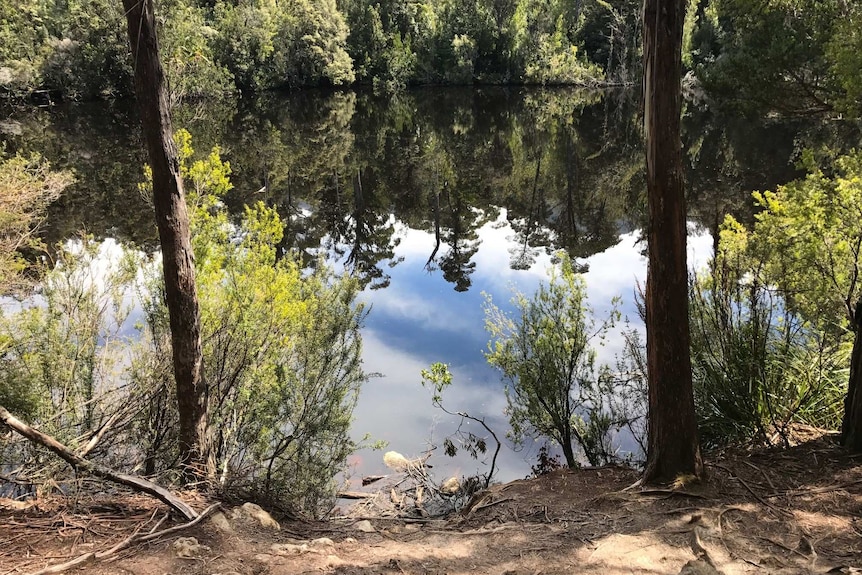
[{"x": 547, "y": 359}]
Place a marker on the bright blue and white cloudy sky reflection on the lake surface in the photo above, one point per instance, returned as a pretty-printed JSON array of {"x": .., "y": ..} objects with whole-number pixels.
[{"x": 420, "y": 319}]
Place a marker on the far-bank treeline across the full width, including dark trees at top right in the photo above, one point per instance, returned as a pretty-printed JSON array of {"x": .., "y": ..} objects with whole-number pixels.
[{"x": 793, "y": 56}]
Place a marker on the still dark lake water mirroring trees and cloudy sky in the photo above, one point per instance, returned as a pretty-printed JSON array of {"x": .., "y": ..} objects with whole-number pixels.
[{"x": 432, "y": 197}]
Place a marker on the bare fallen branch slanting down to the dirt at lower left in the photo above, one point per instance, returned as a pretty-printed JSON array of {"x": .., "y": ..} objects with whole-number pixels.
[{"x": 81, "y": 464}]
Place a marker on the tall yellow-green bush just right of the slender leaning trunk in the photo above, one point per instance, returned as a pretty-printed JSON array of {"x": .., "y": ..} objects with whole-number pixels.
[{"x": 281, "y": 350}]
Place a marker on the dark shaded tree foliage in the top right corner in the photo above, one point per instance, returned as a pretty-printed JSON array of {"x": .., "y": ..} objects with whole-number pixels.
[{"x": 794, "y": 56}]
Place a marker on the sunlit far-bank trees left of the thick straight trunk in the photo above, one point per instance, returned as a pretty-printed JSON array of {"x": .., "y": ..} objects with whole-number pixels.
[{"x": 77, "y": 49}]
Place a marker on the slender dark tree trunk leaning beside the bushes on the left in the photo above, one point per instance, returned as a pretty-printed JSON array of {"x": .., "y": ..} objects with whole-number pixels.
[{"x": 173, "y": 224}]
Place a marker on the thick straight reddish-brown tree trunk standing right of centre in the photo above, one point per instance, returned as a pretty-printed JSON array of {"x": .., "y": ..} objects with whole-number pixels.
[{"x": 673, "y": 447}]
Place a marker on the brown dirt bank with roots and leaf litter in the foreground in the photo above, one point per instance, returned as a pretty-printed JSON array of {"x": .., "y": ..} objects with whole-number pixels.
[{"x": 783, "y": 511}]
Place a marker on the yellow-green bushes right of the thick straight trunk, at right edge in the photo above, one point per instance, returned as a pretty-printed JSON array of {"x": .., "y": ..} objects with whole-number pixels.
[{"x": 771, "y": 324}]
